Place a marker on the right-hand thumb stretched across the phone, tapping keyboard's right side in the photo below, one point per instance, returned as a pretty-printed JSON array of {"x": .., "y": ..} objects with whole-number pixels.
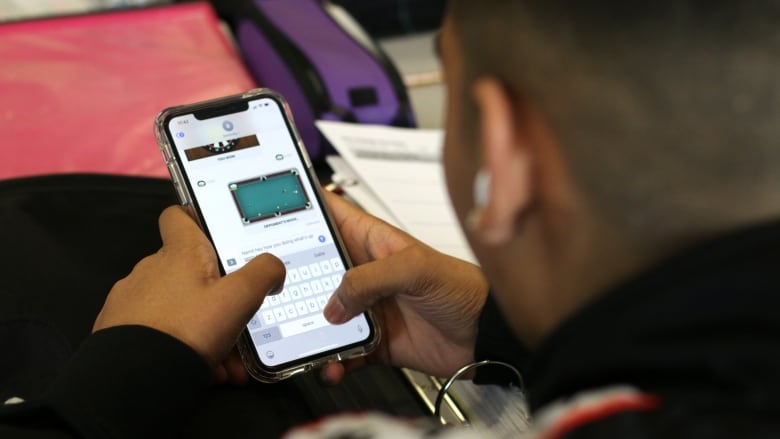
[{"x": 366, "y": 284}]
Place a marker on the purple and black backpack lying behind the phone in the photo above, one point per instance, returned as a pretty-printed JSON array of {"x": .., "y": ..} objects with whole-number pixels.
[{"x": 322, "y": 62}]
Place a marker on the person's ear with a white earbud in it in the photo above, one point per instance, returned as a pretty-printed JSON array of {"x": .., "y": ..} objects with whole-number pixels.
[{"x": 507, "y": 161}]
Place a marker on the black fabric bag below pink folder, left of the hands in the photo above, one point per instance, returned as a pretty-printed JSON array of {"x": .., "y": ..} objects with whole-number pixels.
[{"x": 67, "y": 239}]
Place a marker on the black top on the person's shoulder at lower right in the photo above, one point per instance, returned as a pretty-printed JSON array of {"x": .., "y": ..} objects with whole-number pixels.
[{"x": 701, "y": 330}]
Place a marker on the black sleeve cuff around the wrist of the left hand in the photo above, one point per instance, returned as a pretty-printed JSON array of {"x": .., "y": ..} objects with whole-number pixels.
[{"x": 126, "y": 381}]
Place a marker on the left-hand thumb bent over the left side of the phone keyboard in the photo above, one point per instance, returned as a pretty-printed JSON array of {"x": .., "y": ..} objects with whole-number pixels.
[{"x": 249, "y": 285}]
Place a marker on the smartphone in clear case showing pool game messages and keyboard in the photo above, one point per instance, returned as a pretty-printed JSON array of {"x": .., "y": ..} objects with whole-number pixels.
[{"x": 240, "y": 168}]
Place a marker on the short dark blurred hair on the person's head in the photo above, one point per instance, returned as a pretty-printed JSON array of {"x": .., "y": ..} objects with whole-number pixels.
[{"x": 668, "y": 112}]
